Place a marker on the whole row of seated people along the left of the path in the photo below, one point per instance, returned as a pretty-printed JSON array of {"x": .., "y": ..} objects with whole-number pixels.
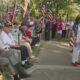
[{"x": 8, "y": 46}]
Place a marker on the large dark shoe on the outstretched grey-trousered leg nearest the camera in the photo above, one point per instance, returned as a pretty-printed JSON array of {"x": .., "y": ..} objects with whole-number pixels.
[{"x": 21, "y": 71}]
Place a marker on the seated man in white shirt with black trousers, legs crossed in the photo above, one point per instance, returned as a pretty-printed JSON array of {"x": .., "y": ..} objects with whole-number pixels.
[{"x": 9, "y": 40}]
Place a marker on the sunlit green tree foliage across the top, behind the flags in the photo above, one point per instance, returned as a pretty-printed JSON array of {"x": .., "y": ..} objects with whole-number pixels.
[{"x": 65, "y": 8}]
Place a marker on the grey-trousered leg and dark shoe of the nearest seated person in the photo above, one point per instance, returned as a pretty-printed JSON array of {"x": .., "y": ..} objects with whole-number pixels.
[{"x": 14, "y": 62}]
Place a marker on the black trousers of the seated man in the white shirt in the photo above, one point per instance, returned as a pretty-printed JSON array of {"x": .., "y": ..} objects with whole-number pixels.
[{"x": 24, "y": 52}]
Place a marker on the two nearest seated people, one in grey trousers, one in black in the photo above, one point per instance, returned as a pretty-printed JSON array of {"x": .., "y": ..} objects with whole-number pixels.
[{"x": 7, "y": 47}]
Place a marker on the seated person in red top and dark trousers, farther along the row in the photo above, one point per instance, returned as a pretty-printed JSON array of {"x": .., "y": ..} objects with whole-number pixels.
[{"x": 28, "y": 36}]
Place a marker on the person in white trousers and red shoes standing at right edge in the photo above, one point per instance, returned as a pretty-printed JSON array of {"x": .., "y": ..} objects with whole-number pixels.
[{"x": 76, "y": 36}]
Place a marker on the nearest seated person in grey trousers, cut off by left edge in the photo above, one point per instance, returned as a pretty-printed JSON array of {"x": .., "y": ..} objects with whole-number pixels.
[{"x": 8, "y": 53}]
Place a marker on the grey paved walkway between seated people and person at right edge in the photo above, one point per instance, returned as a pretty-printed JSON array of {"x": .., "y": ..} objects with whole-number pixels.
[{"x": 54, "y": 63}]
